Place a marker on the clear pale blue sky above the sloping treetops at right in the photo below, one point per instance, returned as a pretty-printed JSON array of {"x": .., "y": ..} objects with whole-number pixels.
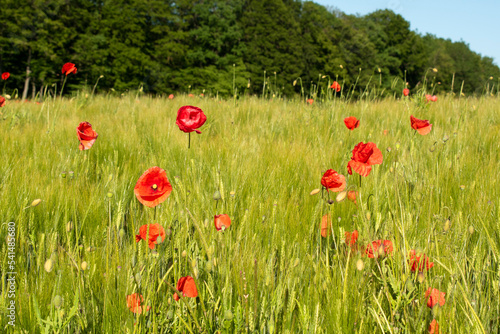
[{"x": 474, "y": 22}]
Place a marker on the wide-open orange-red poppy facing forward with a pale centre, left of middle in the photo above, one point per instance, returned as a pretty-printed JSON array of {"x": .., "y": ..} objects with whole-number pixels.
[{"x": 153, "y": 187}]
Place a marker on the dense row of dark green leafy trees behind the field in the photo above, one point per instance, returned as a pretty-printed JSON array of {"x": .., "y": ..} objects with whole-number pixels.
[{"x": 219, "y": 47}]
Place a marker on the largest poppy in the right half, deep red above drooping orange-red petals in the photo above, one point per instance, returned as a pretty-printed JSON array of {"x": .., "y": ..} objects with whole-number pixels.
[{"x": 363, "y": 157}]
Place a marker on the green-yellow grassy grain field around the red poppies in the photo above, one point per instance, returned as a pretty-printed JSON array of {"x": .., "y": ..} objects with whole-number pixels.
[{"x": 271, "y": 271}]
